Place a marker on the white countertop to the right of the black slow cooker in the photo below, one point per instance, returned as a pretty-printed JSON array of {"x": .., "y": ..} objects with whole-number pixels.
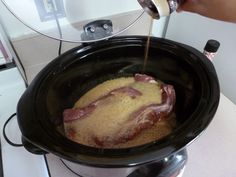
[{"x": 214, "y": 152}]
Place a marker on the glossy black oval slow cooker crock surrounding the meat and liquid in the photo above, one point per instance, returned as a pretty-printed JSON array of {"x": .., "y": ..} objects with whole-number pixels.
[{"x": 70, "y": 75}]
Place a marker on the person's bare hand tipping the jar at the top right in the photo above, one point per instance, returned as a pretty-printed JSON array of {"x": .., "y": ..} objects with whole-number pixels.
[{"x": 217, "y": 9}]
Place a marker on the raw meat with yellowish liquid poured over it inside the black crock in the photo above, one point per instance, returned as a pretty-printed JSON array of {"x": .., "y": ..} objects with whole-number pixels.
[{"x": 121, "y": 113}]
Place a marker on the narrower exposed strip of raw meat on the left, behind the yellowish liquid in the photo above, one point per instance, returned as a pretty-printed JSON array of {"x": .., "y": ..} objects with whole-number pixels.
[{"x": 79, "y": 113}]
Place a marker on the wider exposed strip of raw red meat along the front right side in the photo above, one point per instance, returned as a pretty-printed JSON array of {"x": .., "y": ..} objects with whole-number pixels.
[{"x": 140, "y": 120}]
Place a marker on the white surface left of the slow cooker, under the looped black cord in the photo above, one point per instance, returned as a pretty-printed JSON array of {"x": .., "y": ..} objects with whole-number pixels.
[{"x": 17, "y": 162}]
